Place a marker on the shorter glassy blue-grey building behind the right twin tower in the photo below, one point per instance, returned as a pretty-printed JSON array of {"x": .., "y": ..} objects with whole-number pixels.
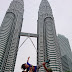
[{"x": 66, "y": 54}]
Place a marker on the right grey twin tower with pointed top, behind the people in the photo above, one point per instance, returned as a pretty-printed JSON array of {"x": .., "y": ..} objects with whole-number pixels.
[{"x": 48, "y": 47}]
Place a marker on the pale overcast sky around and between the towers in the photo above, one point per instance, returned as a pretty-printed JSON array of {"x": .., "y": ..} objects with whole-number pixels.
[{"x": 62, "y": 12}]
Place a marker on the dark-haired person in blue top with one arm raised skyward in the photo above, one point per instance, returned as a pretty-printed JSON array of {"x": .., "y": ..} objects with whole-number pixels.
[{"x": 30, "y": 67}]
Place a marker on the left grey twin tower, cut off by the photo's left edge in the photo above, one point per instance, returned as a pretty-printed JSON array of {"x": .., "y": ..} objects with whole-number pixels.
[{"x": 10, "y": 34}]
